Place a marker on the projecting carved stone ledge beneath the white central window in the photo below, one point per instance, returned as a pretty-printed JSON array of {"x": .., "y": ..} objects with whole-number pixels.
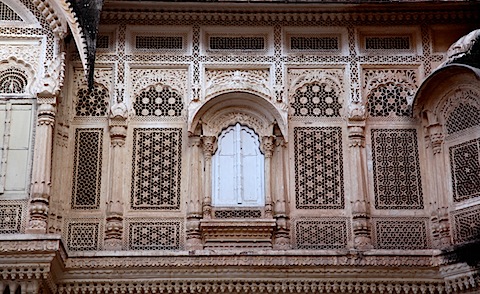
[{"x": 231, "y": 234}]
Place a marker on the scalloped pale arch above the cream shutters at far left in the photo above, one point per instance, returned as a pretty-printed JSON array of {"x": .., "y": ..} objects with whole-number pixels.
[{"x": 18, "y": 74}]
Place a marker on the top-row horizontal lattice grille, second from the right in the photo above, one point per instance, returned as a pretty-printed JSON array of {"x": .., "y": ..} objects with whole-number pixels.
[{"x": 314, "y": 43}]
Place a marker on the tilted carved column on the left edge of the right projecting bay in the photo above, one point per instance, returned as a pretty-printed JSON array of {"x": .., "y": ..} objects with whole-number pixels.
[{"x": 439, "y": 215}]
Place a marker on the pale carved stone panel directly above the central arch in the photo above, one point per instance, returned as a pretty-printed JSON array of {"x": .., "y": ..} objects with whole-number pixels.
[{"x": 254, "y": 81}]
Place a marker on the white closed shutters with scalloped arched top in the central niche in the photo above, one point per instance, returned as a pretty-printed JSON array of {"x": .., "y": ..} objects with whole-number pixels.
[{"x": 238, "y": 169}]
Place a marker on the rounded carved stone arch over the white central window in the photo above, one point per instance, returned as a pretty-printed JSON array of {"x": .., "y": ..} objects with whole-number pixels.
[{"x": 248, "y": 109}]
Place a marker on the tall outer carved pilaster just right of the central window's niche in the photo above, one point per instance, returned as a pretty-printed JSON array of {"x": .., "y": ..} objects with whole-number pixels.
[{"x": 279, "y": 175}]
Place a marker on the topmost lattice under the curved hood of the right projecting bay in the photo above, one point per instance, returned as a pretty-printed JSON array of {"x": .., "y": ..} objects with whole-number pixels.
[{"x": 464, "y": 116}]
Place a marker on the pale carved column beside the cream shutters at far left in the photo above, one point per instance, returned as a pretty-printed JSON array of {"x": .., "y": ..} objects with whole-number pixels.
[{"x": 42, "y": 164}]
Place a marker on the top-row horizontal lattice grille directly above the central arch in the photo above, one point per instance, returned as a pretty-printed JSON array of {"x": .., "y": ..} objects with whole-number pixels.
[{"x": 236, "y": 43}]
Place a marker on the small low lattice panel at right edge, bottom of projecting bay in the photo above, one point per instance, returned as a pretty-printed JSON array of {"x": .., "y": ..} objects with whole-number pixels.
[{"x": 466, "y": 224}]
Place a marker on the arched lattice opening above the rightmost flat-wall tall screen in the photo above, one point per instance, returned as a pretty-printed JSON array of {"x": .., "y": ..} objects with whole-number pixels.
[{"x": 389, "y": 100}]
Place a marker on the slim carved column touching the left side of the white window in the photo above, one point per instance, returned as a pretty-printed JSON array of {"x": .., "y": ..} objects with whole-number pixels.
[{"x": 208, "y": 150}]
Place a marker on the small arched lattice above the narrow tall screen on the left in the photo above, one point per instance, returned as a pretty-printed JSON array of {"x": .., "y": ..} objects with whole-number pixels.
[{"x": 92, "y": 102}]
